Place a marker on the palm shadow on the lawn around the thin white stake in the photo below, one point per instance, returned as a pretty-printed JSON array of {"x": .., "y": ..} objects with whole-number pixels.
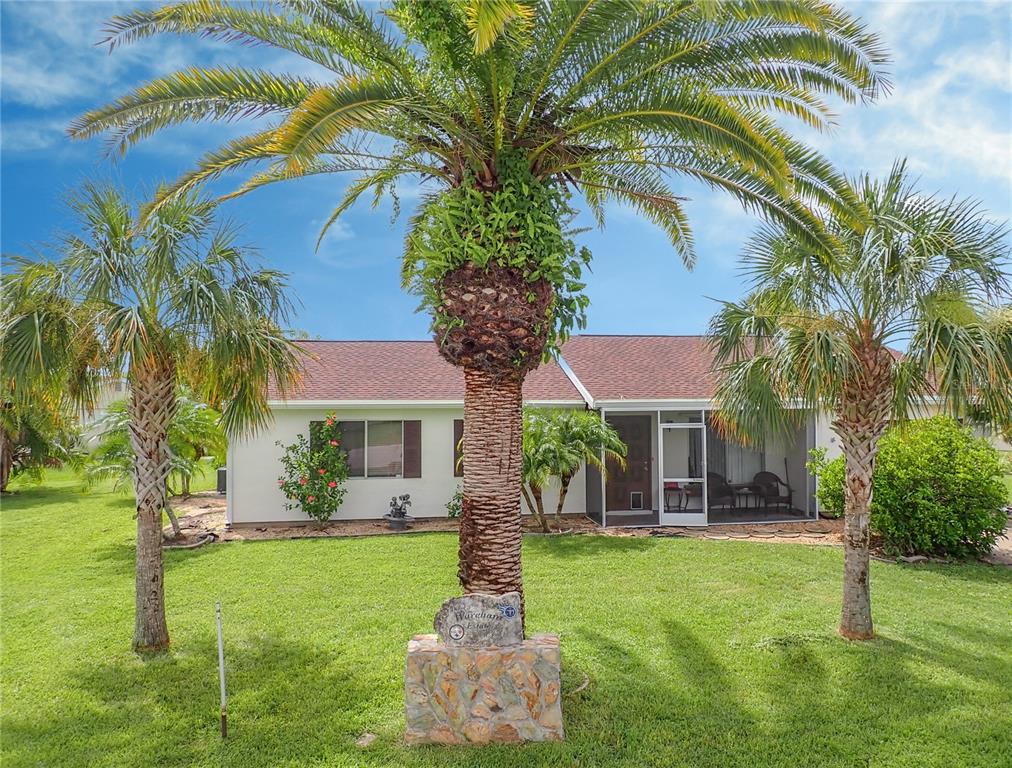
[{"x": 290, "y": 702}]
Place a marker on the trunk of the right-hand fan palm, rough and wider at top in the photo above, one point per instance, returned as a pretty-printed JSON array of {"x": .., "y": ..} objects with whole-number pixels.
[{"x": 865, "y": 414}]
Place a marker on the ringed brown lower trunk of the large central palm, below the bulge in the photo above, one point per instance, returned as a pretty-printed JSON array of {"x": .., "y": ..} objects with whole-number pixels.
[{"x": 490, "y": 514}]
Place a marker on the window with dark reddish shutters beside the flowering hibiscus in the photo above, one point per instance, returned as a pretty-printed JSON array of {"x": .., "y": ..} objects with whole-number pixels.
[{"x": 380, "y": 449}]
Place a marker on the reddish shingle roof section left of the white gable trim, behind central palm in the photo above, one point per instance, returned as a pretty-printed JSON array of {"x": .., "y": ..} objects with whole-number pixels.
[{"x": 403, "y": 371}]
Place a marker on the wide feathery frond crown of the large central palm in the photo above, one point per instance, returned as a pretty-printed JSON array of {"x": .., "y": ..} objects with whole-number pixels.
[{"x": 608, "y": 98}]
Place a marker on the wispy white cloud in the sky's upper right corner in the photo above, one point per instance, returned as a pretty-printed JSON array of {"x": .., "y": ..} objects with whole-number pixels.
[{"x": 949, "y": 112}]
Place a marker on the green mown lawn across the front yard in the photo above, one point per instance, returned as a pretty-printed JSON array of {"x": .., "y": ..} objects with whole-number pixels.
[{"x": 699, "y": 653}]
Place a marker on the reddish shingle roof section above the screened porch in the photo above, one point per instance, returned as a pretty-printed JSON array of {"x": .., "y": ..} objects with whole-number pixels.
[{"x": 642, "y": 368}]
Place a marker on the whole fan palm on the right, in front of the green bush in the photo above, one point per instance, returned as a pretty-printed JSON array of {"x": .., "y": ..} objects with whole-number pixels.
[{"x": 816, "y": 333}]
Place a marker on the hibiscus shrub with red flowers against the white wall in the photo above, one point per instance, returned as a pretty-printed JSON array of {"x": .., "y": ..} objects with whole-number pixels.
[{"x": 315, "y": 471}]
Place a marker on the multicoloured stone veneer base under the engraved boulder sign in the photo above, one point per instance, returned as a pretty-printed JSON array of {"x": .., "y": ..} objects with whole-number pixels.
[{"x": 479, "y": 696}]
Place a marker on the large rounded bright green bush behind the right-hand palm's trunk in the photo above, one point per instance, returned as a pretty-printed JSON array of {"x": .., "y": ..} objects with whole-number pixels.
[{"x": 939, "y": 490}]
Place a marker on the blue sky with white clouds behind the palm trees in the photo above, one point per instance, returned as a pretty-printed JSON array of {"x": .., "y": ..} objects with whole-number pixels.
[{"x": 950, "y": 113}]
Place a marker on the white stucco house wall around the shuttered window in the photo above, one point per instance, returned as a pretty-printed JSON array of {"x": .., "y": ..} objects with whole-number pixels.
[{"x": 255, "y": 466}]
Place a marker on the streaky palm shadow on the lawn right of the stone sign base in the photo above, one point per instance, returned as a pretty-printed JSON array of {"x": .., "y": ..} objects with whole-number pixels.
[{"x": 784, "y": 702}]
